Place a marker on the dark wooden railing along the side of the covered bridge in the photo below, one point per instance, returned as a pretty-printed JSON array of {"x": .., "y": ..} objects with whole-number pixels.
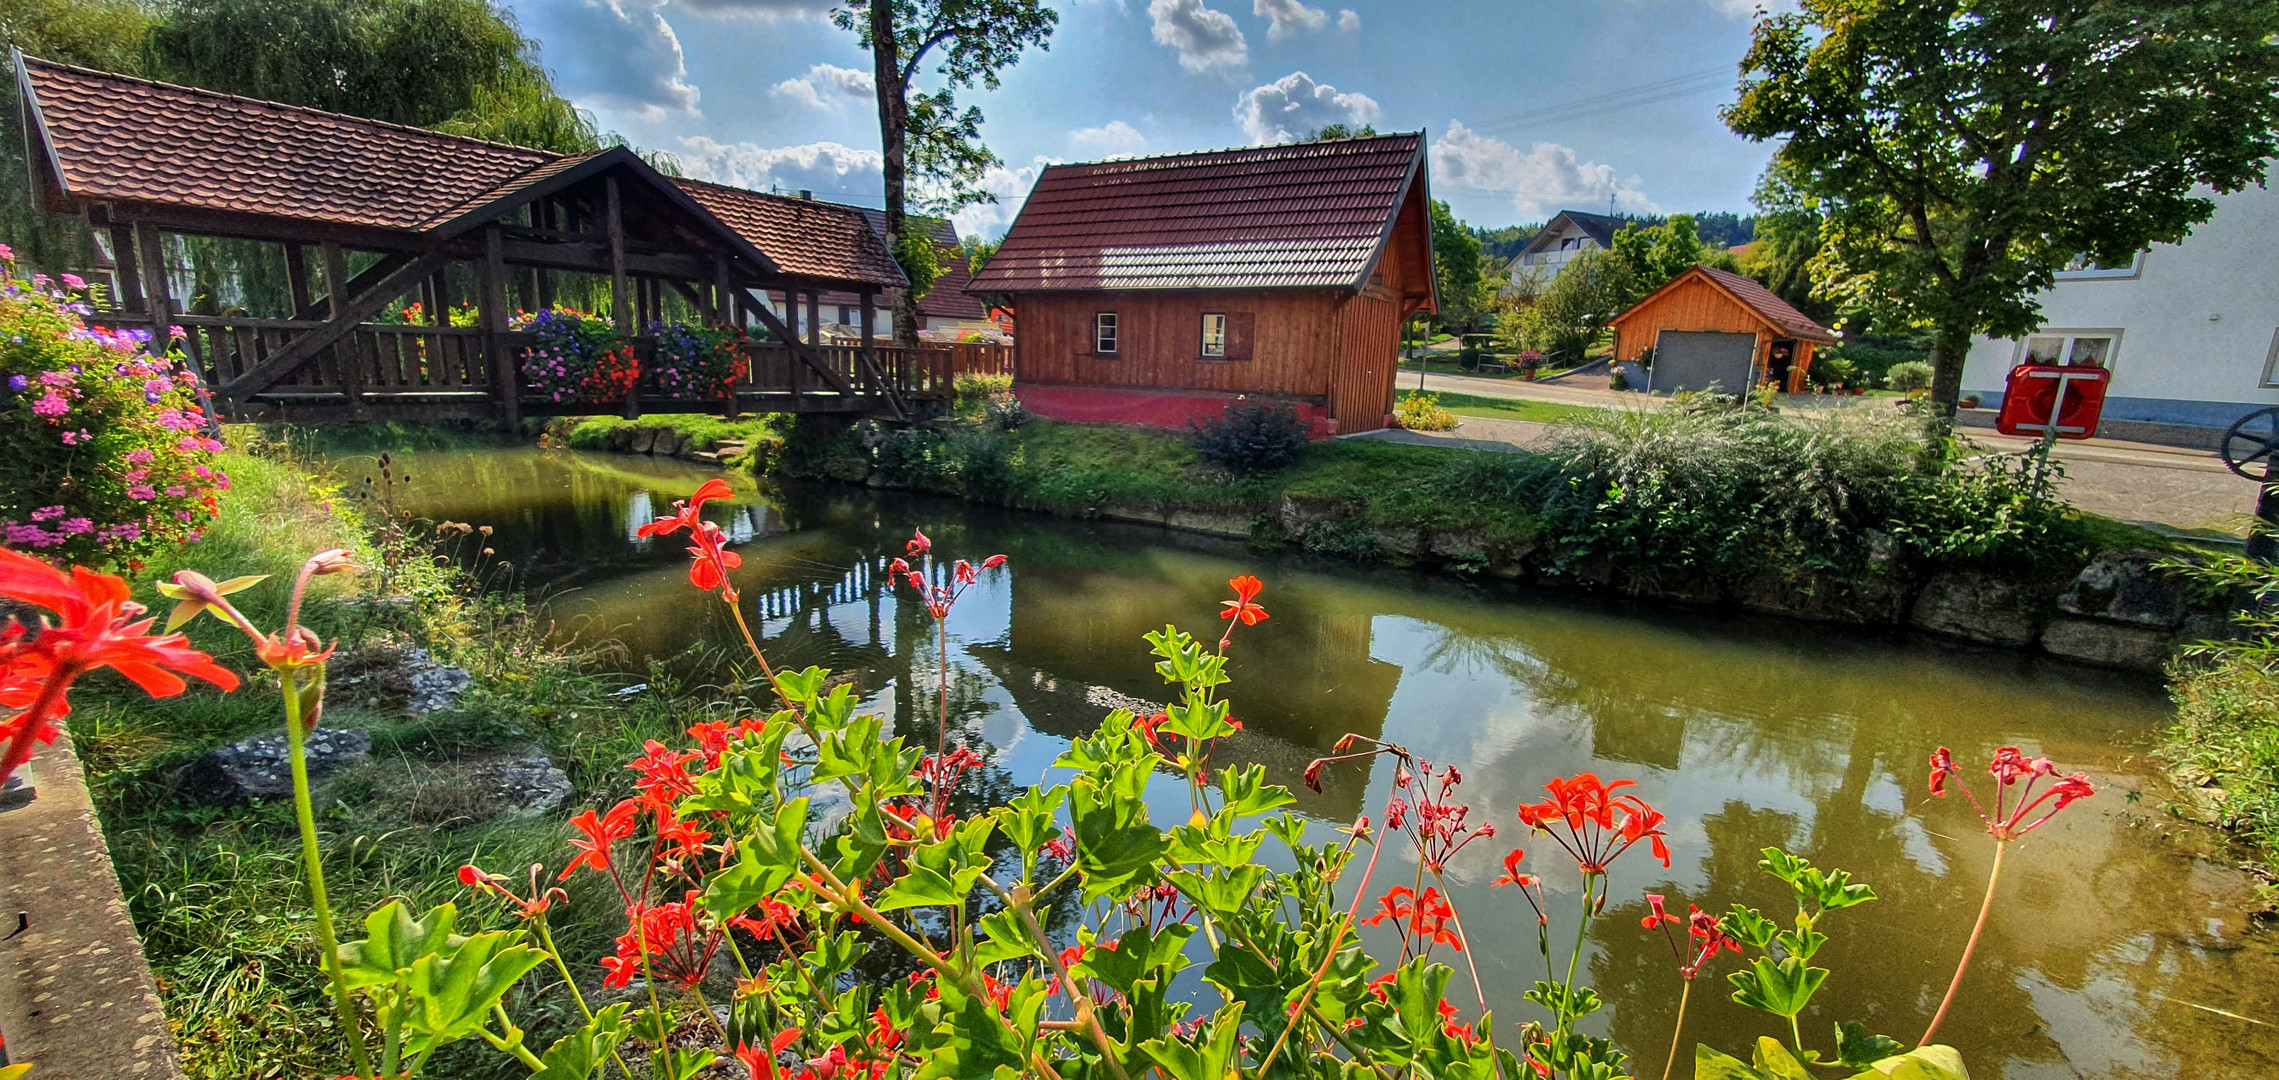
[{"x": 450, "y": 370}]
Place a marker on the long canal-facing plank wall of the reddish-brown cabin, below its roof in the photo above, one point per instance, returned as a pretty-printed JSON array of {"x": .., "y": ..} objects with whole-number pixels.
[{"x": 1161, "y": 341}]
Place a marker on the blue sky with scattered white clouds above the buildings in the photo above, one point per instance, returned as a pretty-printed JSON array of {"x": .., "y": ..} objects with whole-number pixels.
[{"x": 1533, "y": 106}]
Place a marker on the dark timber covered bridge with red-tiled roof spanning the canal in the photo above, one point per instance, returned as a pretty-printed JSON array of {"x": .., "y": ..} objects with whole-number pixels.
[{"x": 373, "y": 218}]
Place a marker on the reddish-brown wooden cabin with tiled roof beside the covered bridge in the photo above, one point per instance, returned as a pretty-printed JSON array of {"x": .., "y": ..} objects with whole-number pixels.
[{"x": 1161, "y": 291}]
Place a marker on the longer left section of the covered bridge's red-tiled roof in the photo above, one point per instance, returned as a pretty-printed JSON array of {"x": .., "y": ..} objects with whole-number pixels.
[{"x": 152, "y": 142}]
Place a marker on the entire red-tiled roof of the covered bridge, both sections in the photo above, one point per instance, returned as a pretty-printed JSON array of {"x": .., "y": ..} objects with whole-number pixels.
[{"x": 152, "y": 142}]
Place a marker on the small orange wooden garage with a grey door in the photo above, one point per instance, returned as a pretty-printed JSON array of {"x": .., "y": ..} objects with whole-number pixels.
[{"x": 1713, "y": 327}]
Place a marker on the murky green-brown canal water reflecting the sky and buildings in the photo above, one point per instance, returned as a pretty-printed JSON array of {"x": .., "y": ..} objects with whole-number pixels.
[{"x": 2121, "y": 942}]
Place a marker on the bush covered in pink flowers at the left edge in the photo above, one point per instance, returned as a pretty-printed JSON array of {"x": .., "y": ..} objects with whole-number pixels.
[{"x": 108, "y": 445}]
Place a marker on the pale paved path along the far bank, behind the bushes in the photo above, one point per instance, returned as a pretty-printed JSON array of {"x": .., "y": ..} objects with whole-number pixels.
[{"x": 2159, "y": 486}]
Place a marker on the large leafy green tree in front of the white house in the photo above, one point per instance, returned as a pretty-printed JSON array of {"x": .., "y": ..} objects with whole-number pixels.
[{"x": 1963, "y": 152}]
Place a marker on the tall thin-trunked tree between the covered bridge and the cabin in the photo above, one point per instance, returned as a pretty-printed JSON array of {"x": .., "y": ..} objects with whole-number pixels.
[{"x": 926, "y": 136}]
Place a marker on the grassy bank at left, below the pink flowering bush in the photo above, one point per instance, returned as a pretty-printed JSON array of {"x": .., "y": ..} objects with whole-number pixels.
[{"x": 218, "y": 892}]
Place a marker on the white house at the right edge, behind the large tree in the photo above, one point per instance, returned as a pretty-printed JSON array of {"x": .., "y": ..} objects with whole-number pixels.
[{"x": 2191, "y": 332}]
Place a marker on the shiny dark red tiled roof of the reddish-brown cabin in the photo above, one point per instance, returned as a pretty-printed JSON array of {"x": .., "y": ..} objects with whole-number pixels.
[{"x": 1307, "y": 215}]
